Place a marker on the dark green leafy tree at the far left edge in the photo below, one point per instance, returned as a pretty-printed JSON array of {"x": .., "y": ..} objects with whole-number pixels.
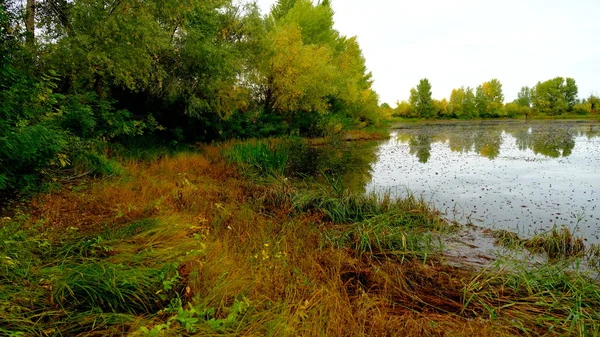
[{"x": 30, "y": 139}]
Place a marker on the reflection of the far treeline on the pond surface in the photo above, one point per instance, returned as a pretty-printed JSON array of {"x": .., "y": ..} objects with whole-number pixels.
[{"x": 487, "y": 139}]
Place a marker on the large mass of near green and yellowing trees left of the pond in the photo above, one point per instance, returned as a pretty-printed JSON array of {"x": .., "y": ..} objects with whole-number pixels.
[{"x": 77, "y": 75}]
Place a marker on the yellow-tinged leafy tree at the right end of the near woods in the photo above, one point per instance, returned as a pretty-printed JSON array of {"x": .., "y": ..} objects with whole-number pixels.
[{"x": 310, "y": 74}]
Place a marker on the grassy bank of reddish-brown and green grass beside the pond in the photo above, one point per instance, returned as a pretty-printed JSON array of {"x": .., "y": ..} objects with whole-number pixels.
[{"x": 222, "y": 241}]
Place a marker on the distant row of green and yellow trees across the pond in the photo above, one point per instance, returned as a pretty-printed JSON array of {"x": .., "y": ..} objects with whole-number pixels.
[{"x": 557, "y": 96}]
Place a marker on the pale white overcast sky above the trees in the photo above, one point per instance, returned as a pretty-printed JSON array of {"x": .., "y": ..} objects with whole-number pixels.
[{"x": 456, "y": 43}]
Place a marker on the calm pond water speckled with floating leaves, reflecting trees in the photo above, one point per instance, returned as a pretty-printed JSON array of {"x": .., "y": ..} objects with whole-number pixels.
[{"x": 525, "y": 177}]
